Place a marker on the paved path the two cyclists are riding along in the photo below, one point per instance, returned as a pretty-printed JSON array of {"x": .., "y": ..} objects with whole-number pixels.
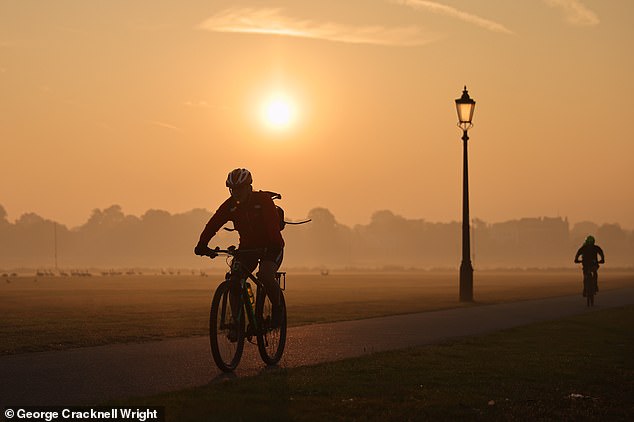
[{"x": 95, "y": 374}]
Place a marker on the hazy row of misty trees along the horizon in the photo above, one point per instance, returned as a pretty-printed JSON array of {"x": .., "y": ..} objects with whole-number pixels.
[{"x": 158, "y": 239}]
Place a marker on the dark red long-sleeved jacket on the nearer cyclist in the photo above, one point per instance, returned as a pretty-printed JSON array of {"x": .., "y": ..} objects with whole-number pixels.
[{"x": 257, "y": 222}]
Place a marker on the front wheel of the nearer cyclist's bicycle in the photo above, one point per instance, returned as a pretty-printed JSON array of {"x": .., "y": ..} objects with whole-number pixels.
[{"x": 225, "y": 336}]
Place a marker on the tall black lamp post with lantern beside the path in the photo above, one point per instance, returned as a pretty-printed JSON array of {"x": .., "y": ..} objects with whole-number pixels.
[{"x": 465, "y": 106}]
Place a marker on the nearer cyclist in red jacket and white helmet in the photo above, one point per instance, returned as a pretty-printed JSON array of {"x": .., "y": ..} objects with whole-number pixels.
[{"x": 255, "y": 218}]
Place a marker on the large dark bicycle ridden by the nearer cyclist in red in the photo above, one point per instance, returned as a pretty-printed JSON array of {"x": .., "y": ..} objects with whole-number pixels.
[{"x": 227, "y": 332}]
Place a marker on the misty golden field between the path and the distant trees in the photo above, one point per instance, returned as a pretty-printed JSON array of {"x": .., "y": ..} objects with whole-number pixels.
[{"x": 52, "y": 313}]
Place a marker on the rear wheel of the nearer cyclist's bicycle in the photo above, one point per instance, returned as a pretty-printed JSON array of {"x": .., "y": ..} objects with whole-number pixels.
[{"x": 271, "y": 340}]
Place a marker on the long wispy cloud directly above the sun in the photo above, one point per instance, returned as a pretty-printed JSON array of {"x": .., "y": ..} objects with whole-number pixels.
[{"x": 274, "y": 22}]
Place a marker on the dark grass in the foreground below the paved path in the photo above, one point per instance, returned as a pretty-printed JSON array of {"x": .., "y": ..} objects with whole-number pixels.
[{"x": 579, "y": 368}]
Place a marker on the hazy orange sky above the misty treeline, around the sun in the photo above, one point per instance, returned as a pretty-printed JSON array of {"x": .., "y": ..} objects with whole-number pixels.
[{"x": 148, "y": 104}]
